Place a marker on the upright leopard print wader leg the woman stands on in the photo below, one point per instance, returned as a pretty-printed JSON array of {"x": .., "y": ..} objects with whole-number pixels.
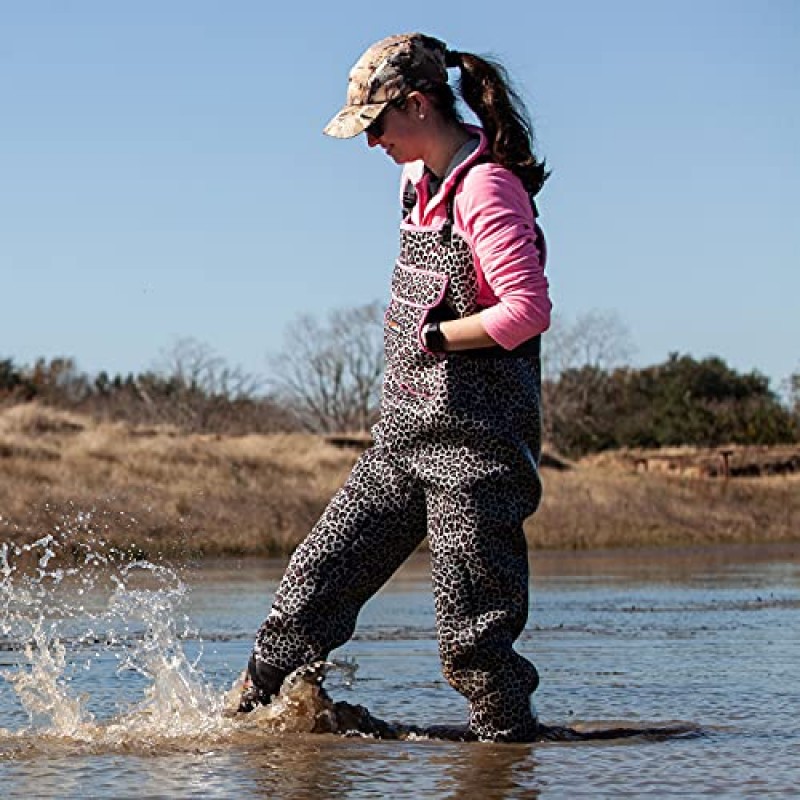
[{"x": 480, "y": 581}]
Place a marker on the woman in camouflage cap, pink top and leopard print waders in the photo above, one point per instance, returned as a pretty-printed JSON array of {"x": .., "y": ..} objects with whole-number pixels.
[{"x": 455, "y": 454}]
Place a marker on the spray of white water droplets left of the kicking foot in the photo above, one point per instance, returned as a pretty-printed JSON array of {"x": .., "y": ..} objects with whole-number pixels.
[{"x": 63, "y": 618}]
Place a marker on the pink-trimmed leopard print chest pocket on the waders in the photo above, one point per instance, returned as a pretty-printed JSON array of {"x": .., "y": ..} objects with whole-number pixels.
[{"x": 415, "y": 295}]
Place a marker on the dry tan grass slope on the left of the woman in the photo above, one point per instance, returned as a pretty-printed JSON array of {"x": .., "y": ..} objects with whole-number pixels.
[{"x": 157, "y": 491}]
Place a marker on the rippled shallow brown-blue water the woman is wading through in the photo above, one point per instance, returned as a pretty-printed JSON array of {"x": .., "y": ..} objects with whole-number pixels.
[{"x": 121, "y": 692}]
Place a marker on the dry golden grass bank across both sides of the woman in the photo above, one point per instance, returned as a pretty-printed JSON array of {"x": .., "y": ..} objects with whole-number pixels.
[{"x": 155, "y": 491}]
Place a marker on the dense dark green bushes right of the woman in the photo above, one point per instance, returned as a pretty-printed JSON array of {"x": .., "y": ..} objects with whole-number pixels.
[{"x": 680, "y": 402}]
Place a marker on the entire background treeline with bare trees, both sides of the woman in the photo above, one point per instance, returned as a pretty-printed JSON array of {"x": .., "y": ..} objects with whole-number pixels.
[{"x": 328, "y": 380}]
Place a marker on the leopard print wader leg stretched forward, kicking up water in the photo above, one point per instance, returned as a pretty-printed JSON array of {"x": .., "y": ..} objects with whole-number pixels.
[{"x": 367, "y": 531}]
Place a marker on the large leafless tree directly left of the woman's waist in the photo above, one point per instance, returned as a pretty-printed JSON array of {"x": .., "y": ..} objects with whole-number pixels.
[{"x": 330, "y": 372}]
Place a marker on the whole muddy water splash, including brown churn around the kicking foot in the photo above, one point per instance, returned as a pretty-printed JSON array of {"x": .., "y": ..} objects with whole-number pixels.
[{"x": 63, "y": 620}]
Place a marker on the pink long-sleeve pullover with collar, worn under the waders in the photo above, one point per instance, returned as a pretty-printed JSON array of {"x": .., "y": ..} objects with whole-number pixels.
[{"x": 493, "y": 213}]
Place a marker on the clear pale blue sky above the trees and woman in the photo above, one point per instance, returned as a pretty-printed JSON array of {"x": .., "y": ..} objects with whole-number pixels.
[{"x": 163, "y": 172}]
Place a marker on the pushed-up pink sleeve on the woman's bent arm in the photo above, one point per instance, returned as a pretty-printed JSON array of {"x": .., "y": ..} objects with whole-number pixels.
[{"x": 495, "y": 213}]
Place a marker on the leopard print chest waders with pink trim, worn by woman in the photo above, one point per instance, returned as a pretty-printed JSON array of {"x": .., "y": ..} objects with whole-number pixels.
[{"x": 455, "y": 458}]
